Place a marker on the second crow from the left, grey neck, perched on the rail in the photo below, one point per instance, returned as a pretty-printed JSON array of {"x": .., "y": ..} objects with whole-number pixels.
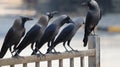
[{"x": 34, "y": 34}]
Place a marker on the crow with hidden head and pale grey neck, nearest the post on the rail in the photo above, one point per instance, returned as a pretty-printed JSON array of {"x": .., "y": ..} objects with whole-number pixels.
[{"x": 67, "y": 34}]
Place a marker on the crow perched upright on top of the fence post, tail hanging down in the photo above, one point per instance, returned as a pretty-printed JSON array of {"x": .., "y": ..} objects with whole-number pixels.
[{"x": 92, "y": 19}]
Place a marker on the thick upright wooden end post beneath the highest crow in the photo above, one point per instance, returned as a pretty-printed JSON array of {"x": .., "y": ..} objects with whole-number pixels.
[{"x": 94, "y": 43}]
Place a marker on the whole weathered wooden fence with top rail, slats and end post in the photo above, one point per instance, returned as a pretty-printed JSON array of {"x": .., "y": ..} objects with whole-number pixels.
[{"x": 93, "y": 54}]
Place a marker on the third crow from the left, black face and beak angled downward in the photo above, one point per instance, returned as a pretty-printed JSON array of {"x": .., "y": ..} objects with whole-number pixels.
[{"x": 51, "y": 31}]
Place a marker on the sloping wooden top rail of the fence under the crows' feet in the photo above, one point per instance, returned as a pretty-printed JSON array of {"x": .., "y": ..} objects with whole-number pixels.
[{"x": 34, "y": 58}]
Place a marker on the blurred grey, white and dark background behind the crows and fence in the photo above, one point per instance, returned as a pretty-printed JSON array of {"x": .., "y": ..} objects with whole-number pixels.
[{"x": 108, "y": 27}]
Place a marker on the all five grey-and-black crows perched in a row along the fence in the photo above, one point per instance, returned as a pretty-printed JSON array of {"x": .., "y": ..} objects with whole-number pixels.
[{"x": 42, "y": 33}]
